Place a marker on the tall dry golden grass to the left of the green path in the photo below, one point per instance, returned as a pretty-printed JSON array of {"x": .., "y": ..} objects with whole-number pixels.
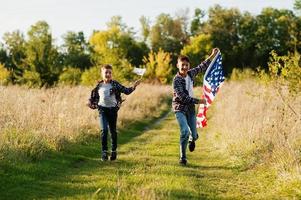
[{"x": 34, "y": 120}]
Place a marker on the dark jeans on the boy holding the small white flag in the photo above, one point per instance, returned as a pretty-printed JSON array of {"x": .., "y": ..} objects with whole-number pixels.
[{"x": 108, "y": 120}]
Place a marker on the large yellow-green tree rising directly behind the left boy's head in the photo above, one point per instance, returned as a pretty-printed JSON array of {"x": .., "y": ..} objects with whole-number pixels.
[{"x": 117, "y": 46}]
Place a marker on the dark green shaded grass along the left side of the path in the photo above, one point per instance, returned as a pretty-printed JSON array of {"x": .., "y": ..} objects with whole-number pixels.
[{"x": 54, "y": 175}]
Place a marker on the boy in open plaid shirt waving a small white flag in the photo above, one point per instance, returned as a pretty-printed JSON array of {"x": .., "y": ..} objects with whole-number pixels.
[{"x": 106, "y": 97}]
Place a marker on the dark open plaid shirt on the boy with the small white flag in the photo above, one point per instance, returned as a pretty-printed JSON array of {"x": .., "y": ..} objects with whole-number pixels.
[{"x": 117, "y": 88}]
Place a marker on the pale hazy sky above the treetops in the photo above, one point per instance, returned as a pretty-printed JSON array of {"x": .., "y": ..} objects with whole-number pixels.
[{"x": 89, "y": 15}]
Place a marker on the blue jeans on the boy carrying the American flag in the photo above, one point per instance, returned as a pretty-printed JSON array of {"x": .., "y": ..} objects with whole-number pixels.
[{"x": 187, "y": 123}]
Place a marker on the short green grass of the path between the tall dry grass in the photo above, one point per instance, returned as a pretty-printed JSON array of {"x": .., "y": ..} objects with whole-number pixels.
[{"x": 147, "y": 168}]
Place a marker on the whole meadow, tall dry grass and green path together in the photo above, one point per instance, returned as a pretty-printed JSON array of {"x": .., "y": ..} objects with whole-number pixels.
[{"x": 50, "y": 146}]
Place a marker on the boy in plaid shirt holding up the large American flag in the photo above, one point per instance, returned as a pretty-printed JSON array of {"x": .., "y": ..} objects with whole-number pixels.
[{"x": 183, "y": 102}]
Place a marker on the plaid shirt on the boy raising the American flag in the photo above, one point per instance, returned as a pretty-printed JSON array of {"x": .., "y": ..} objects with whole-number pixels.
[{"x": 181, "y": 100}]
